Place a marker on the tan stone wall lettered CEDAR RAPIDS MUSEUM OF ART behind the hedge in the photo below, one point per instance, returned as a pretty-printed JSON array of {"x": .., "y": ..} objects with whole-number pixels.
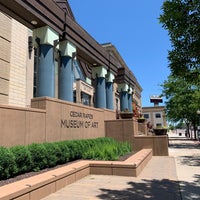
[{"x": 51, "y": 120}]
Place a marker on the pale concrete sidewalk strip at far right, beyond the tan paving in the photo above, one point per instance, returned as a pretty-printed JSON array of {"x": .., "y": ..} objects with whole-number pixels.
[{"x": 187, "y": 157}]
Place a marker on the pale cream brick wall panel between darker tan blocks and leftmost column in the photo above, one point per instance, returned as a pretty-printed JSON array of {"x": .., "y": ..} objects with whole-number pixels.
[{"x": 20, "y": 77}]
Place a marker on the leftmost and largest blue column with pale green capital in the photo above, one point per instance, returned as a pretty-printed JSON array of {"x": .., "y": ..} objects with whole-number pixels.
[{"x": 46, "y": 68}]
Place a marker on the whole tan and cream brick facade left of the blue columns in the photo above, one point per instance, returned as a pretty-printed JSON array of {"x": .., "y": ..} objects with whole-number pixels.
[{"x": 16, "y": 65}]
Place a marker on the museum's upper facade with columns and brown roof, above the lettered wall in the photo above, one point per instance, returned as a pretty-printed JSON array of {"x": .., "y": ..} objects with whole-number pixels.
[{"x": 46, "y": 53}]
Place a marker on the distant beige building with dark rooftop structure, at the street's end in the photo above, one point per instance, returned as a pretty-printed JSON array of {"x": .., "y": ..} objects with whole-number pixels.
[{"x": 155, "y": 115}]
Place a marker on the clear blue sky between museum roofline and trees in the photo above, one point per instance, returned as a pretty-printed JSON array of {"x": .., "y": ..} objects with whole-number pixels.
[{"x": 132, "y": 26}]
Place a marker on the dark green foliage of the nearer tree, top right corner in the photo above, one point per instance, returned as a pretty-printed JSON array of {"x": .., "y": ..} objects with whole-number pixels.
[{"x": 182, "y": 18}]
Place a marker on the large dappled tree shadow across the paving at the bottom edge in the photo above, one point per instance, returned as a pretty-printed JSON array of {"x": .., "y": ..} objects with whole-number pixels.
[{"x": 154, "y": 190}]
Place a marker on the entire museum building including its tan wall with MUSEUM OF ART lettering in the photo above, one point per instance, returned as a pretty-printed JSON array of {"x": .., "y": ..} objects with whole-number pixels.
[{"x": 55, "y": 77}]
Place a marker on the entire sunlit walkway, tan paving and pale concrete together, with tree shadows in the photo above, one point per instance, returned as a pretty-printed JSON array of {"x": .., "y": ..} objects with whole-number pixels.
[{"x": 158, "y": 181}]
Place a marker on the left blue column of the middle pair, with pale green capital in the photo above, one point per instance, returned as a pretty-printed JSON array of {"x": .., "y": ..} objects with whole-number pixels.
[{"x": 99, "y": 73}]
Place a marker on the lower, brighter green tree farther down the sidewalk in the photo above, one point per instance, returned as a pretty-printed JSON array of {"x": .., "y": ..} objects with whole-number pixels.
[{"x": 182, "y": 101}]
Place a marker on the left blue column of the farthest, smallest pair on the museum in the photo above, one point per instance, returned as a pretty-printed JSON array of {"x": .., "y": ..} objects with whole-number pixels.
[{"x": 123, "y": 90}]
